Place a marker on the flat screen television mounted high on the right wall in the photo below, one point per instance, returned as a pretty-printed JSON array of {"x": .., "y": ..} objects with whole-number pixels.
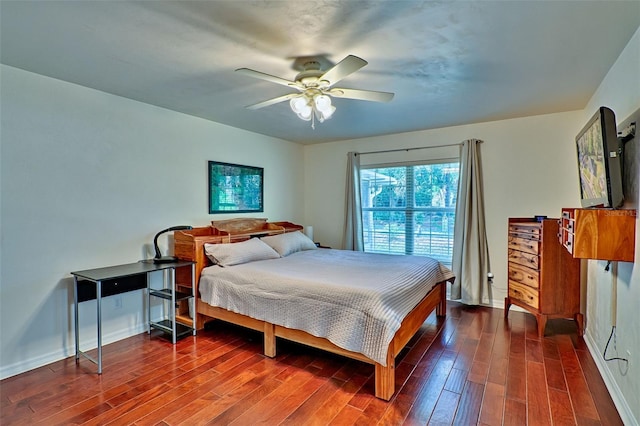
[{"x": 599, "y": 161}]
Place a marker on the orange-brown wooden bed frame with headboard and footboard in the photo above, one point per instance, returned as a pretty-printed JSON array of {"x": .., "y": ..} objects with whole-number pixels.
[{"x": 189, "y": 245}]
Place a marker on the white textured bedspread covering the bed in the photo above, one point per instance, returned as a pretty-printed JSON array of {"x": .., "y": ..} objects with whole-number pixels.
[{"x": 355, "y": 300}]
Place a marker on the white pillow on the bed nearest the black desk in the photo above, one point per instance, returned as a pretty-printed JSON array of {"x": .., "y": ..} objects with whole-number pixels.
[{"x": 236, "y": 253}]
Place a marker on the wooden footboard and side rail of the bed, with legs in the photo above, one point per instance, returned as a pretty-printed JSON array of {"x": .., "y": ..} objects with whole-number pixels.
[{"x": 384, "y": 375}]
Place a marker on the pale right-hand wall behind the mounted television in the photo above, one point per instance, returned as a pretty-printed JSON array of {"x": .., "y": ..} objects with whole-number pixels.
[{"x": 620, "y": 91}]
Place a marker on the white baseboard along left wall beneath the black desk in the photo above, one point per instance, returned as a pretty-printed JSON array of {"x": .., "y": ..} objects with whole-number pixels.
[{"x": 42, "y": 360}]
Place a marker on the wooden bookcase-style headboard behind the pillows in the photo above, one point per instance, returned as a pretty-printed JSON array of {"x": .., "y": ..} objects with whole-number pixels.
[{"x": 189, "y": 244}]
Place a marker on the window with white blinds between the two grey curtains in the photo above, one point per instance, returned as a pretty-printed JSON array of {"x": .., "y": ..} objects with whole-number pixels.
[{"x": 410, "y": 209}]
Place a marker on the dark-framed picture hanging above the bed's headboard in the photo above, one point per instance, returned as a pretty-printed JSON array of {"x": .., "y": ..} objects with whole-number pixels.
[{"x": 234, "y": 188}]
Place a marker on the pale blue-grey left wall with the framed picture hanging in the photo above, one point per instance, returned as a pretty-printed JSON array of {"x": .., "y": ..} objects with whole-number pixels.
[{"x": 87, "y": 180}]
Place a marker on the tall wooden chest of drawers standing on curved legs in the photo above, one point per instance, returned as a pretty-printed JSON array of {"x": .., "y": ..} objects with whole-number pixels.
[{"x": 543, "y": 278}]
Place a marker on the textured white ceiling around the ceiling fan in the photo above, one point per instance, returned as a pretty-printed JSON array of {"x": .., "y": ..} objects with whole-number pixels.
[{"x": 448, "y": 63}]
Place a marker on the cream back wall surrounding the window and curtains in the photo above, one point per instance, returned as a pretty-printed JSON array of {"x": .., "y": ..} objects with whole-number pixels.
[{"x": 529, "y": 169}]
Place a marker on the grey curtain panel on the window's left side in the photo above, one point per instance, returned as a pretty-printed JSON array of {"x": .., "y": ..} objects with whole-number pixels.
[{"x": 353, "y": 239}]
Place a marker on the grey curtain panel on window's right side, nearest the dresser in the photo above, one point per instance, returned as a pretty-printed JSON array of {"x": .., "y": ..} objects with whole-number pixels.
[{"x": 470, "y": 249}]
